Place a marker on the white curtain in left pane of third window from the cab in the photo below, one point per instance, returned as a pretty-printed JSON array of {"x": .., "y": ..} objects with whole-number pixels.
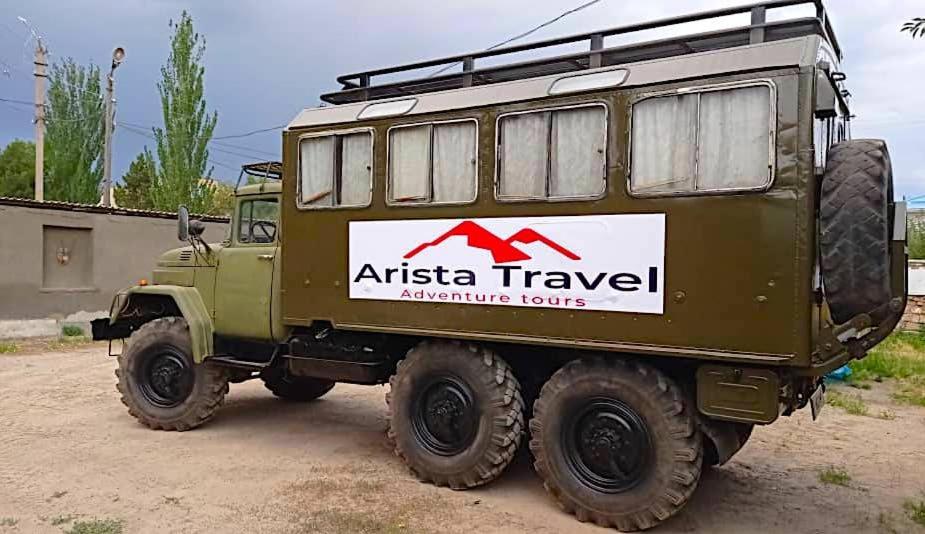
[{"x": 524, "y": 149}]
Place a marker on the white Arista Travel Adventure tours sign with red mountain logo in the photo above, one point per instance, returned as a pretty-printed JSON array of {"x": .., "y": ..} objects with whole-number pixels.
[{"x": 592, "y": 262}]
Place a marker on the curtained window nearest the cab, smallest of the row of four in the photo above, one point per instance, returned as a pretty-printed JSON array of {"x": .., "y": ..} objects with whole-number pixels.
[{"x": 336, "y": 170}]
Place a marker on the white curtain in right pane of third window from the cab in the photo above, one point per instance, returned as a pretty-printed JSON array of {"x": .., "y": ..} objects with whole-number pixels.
[{"x": 579, "y": 138}]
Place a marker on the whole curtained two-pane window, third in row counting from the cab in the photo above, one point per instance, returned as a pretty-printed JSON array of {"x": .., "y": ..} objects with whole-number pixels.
[{"x": 553, "y": 154}]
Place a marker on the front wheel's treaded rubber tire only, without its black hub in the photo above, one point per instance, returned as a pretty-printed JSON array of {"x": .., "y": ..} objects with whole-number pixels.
[{"x": 210, "y": 383}]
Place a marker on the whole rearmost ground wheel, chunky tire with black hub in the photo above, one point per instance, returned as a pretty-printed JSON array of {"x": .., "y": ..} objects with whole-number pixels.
[{"x": 616, "y": 443}]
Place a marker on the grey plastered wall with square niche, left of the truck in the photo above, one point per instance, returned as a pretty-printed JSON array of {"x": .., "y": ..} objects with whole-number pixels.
[{"x": 63, "y": 263}]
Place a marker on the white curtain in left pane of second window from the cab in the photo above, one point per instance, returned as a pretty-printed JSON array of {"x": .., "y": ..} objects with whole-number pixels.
[{"x": 409, "y": 164}]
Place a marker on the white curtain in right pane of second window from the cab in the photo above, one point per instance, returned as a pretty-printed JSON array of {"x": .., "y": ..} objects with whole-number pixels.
[{"x": 454, "y": 162}]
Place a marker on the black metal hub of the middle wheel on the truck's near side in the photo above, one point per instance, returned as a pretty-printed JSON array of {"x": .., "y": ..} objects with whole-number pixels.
[{"x": 445, "y": 416}]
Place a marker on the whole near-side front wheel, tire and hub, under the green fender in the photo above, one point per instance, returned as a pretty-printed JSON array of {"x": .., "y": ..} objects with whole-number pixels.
[{"x": 161, "y": 384}]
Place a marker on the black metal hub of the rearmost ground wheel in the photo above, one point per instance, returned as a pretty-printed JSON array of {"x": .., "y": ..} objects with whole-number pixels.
[{"x": 607, "y": 445}]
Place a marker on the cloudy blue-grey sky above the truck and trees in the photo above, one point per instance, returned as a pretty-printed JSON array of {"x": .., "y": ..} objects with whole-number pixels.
[{"x": 266, "y": 60}]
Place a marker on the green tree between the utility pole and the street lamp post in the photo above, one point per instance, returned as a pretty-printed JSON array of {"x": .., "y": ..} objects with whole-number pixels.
[{"x": 74, "y": 135}]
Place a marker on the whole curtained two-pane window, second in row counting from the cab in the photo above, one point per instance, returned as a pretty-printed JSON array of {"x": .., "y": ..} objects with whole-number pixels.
[{"x": 433, "y": 163}]
